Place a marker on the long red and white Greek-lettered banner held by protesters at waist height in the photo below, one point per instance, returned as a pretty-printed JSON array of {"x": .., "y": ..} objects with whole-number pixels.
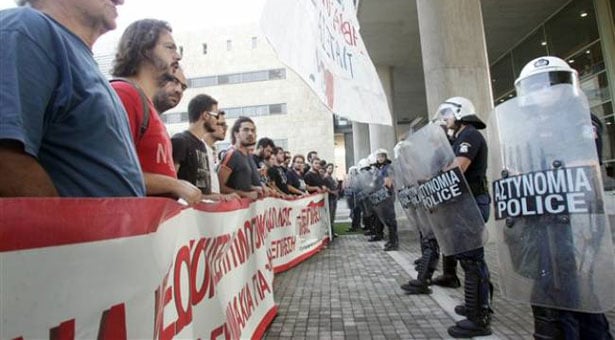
[{"x": 149, "y": 268}]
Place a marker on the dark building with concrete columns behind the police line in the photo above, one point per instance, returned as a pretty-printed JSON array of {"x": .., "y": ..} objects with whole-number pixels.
[{"x": 429, "y": 50}]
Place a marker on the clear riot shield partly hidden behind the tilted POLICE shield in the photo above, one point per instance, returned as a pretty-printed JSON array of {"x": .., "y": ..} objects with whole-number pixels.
[{"x": 405, "y": 177}]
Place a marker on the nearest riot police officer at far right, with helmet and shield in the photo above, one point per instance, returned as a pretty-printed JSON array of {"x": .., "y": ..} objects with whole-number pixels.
[{"x": 564, "y": 255}]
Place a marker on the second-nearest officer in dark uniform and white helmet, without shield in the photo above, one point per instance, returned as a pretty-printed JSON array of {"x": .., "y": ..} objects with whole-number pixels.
[{"x": 470, "y": 149}]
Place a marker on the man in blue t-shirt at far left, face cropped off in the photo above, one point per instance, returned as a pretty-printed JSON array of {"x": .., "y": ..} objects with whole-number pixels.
[{"x": 63, "y": 131}]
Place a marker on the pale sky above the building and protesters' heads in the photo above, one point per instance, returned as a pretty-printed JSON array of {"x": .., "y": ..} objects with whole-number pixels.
[{"x": 183, "y": 15}]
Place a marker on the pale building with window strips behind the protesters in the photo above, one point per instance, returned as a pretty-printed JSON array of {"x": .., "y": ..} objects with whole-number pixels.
[{"x": 237, "y": 67}]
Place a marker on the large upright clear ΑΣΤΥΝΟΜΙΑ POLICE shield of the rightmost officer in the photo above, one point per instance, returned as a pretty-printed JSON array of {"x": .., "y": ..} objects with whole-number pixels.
[{"x": 554, "y": 240}]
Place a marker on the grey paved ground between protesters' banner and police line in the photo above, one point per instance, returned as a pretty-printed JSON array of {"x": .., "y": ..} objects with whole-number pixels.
[{"x": 351, "y": 291}]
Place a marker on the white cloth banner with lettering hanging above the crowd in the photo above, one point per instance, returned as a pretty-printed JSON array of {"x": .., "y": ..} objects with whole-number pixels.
[{"x": 320, "y": 41}]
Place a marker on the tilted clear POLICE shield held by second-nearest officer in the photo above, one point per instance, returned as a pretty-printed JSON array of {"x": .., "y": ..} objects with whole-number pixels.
[{"x": 444, "y": 193}]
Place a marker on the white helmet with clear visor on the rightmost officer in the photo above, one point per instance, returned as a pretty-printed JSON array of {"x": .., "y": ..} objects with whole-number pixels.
[{"x": 545, "y": 72}]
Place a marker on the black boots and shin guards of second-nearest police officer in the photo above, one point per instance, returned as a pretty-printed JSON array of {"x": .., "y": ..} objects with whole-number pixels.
[{"x": 476, "y": 289}]
